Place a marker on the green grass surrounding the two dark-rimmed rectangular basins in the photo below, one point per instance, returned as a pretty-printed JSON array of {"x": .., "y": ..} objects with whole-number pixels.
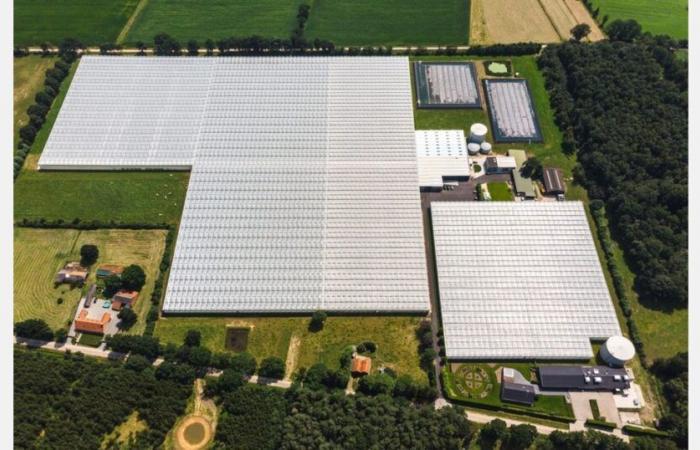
[{"x": 548, "y": 152}]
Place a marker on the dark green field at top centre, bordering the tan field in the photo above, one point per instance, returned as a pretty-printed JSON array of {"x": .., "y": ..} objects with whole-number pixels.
[{"x": 390, "y": 22}]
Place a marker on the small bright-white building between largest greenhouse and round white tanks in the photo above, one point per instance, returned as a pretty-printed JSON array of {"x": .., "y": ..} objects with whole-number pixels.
[{"x": 442, "y": 156}]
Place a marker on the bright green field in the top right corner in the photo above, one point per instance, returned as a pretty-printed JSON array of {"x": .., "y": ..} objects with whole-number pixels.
[{"x": 656, "y": 16}]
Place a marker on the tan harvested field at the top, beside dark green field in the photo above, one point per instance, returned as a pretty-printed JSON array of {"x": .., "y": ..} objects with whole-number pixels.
[{"x": 500, "y": 21}]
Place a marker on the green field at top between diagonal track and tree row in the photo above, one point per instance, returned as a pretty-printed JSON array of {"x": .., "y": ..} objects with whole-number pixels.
[{"x": 214, "y": 19}]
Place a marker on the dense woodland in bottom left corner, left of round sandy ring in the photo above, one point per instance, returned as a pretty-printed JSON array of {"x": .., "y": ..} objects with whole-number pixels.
[{"x": 71, "y": 402}]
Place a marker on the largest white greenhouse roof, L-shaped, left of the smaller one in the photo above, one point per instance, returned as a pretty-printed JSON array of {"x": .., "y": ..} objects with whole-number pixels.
[{"x": 287, "y": 208}]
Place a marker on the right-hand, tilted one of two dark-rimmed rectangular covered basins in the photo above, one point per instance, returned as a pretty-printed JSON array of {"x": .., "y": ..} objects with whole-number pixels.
[{"x": 512, "y": 112}]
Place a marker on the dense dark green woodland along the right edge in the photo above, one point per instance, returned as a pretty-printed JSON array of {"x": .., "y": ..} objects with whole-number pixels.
[{"x": 623, "y": 108}]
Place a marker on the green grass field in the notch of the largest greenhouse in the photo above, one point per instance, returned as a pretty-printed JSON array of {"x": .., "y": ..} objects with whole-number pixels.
[{"x": 132, "y": 197}]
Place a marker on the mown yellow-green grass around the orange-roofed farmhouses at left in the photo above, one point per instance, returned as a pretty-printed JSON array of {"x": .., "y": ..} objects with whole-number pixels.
[{"x": 39, "y": 253}]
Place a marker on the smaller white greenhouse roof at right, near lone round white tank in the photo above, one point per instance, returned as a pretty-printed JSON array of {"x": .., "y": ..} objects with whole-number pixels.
[{"x": 519, "y": 280}]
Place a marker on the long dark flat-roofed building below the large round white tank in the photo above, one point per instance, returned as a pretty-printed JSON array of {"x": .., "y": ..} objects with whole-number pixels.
[{"x": 583, "y": 378}]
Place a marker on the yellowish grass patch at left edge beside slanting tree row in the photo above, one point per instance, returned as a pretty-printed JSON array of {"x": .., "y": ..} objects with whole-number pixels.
[{"x": 28, "y": 81}]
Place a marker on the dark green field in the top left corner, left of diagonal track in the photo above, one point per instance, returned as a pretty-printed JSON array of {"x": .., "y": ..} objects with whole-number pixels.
[{"x": 92, "y": 22}]
